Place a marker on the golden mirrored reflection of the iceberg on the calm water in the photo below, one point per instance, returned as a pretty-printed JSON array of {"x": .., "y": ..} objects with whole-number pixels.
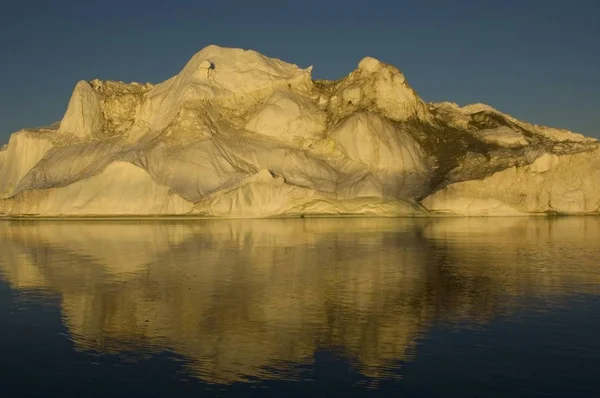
[{"x": 246, "y": 299}]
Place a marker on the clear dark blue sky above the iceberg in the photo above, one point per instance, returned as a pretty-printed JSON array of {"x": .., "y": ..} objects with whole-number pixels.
[{"x": 538, "y": 60}]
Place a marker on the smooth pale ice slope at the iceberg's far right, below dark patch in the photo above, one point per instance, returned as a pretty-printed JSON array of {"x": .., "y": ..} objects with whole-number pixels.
[{"x": 551, "y": 184}]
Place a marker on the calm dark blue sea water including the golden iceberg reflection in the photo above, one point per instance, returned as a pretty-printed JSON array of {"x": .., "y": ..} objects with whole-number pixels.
[{"x": 504, "y": 307}]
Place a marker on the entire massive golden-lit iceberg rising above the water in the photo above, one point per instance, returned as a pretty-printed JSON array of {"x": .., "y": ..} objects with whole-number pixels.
[{"x": 237, "y": 134}]
